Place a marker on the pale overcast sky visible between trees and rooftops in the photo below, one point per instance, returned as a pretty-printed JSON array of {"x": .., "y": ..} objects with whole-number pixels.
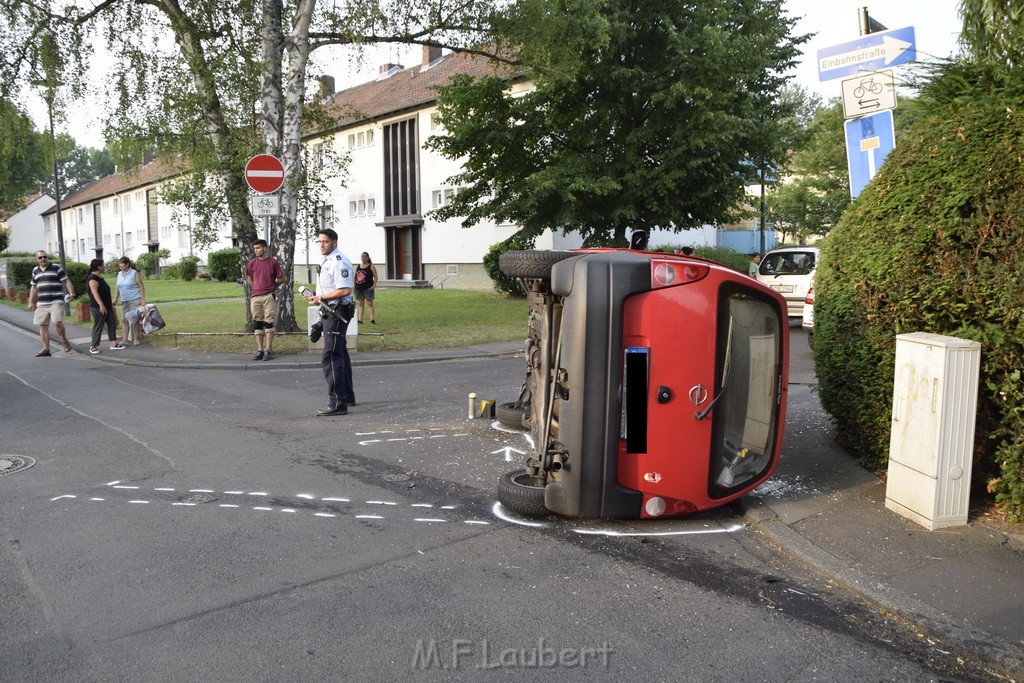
[{"x": 936, "y": 25}]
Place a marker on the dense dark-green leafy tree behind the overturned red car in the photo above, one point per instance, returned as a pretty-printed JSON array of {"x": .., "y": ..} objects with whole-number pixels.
[{"x": 656, "y": 121}]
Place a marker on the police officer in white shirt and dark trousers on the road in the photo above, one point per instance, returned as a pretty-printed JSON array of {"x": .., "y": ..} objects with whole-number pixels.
[{"x": 334, "y": 287}]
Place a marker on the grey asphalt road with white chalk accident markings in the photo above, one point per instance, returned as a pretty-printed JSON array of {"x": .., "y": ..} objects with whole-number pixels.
[{"x": 204, "y": 525}]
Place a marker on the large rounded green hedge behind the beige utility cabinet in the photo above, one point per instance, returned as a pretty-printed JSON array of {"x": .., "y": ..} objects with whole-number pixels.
[{"x": 934, "y": 245}]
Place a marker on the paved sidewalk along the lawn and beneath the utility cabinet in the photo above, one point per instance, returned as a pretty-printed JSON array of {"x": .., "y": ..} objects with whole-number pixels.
[{"x": 963, "y": 587}]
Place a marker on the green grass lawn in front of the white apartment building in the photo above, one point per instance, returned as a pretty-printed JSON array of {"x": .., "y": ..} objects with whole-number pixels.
[{"x": 406, "y": 319}]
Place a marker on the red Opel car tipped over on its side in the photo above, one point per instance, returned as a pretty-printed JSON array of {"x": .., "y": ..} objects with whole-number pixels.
[{"x": 656, "y": 387}]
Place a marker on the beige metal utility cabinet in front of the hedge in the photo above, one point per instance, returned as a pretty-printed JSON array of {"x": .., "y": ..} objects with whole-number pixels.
[{"x": 935, "y": 401}]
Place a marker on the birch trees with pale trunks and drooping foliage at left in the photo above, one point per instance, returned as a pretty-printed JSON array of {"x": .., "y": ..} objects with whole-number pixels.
[{"x": 214, "y": 82}]
